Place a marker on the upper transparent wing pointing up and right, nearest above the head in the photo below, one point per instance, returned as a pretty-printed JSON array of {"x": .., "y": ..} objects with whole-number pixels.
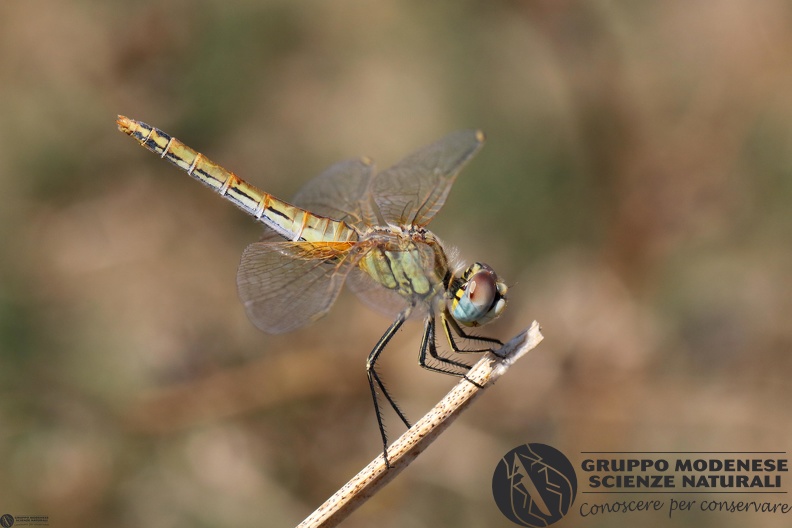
[{"x": 414, "y": 190}]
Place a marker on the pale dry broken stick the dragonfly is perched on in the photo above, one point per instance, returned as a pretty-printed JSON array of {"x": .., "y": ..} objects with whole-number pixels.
[{"x": 412, "y": 443}]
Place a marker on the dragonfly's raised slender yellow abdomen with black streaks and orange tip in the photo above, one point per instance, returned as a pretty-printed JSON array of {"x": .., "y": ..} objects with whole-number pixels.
[{"x": 291, "y": 222}]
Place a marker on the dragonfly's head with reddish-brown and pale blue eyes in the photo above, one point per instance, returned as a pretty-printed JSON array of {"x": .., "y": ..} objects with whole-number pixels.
[{"x": 479, "y": 298}]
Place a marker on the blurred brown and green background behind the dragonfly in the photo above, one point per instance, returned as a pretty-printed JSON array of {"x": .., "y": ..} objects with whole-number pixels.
[{"x": 635, "y": 193}]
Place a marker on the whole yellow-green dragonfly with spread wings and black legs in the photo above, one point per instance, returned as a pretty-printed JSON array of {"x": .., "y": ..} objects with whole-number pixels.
[{"x": 350, "y": 225}]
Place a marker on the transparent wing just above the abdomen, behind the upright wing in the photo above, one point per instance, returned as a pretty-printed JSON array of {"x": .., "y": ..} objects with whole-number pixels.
[{"x": 341, "y": 193}]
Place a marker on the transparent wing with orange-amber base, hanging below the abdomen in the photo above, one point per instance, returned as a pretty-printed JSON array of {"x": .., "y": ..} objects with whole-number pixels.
[{"x": 284, "y": 285}]
